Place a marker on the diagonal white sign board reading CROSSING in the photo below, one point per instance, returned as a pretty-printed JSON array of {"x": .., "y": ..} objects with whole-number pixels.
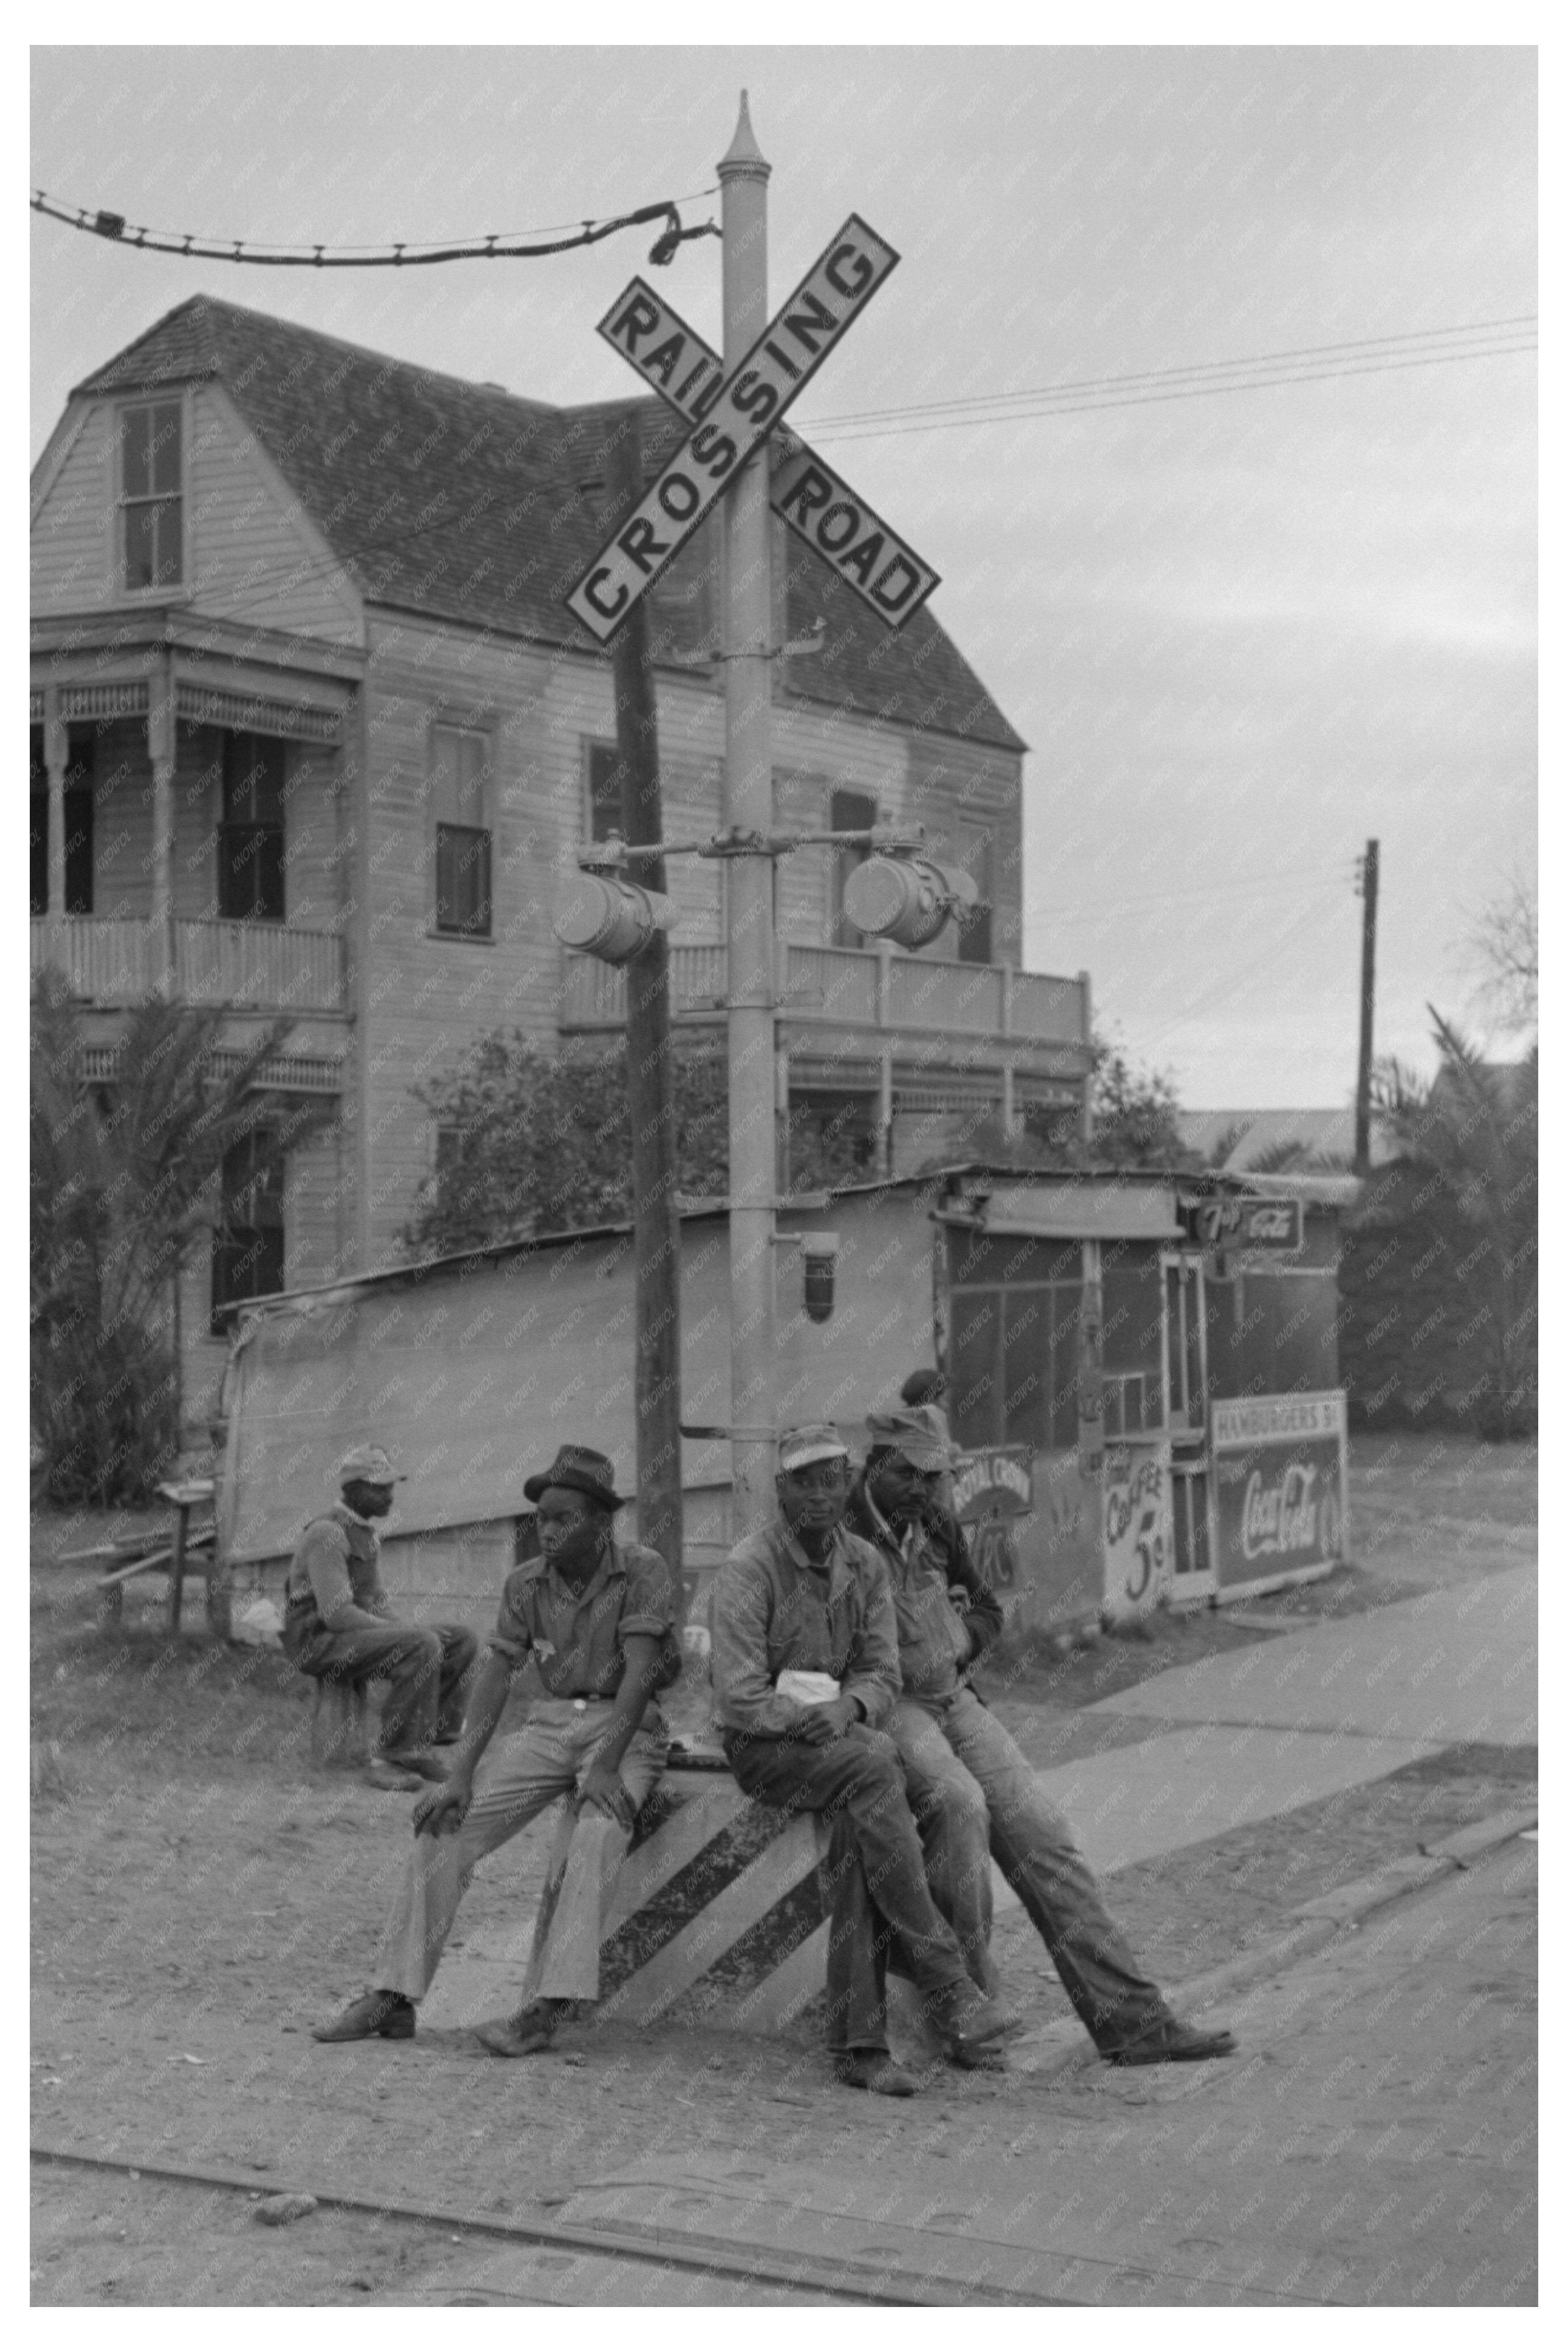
[{"x": 735, "y": 422}]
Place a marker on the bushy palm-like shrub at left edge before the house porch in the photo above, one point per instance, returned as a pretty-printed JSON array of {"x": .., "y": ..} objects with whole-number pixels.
[{"x": 121, "y": 1196}]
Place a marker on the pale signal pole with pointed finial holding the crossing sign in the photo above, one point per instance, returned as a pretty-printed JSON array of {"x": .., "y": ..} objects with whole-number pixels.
[{"x": 749, "y": 808}]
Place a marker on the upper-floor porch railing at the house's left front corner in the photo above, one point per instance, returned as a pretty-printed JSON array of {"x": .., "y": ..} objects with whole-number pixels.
[{"x": 119, "y": 961}]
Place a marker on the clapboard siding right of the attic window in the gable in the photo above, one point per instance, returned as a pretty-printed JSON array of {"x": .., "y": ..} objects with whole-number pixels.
[{"x": 250, "y": 552}]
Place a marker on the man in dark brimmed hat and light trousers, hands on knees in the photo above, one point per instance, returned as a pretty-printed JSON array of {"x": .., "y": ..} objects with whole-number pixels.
[{"x": 601, "y": 1624}]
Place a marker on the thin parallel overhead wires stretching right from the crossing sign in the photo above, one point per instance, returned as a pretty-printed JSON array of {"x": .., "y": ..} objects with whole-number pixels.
[{"x": 1313, "y": 363}]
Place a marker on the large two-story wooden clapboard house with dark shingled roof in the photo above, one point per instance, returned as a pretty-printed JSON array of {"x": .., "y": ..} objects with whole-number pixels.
[{"x": 314, "y": 733}]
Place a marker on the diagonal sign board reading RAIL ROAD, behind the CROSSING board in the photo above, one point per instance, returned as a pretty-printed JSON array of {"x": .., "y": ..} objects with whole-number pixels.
[{"x": 805, "y": 493}]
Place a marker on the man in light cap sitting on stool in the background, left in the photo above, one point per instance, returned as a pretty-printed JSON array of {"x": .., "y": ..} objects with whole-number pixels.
[{"x": 340, "y": 1626}]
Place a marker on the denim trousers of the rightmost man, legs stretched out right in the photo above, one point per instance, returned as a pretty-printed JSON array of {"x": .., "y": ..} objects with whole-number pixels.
[{"x": 979, "y": 1800}]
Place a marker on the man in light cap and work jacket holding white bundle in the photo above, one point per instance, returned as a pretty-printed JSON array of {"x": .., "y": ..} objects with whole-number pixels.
[{"x": 800, "y": 1612}]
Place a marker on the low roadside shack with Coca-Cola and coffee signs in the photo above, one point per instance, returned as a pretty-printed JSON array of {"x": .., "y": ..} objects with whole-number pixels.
[{"x": 1144, "y": 1377}]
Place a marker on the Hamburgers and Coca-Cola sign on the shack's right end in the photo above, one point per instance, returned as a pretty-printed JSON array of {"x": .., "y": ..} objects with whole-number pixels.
[{"x": 1278, "y": 1488}]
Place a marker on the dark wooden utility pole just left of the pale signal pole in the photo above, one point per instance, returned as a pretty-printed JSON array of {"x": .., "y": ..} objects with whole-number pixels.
[{"x": 650, "y": 1069}]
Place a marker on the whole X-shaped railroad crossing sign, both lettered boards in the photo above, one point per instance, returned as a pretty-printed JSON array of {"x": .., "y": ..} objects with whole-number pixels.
[{"x": 732, "y": 417}]
